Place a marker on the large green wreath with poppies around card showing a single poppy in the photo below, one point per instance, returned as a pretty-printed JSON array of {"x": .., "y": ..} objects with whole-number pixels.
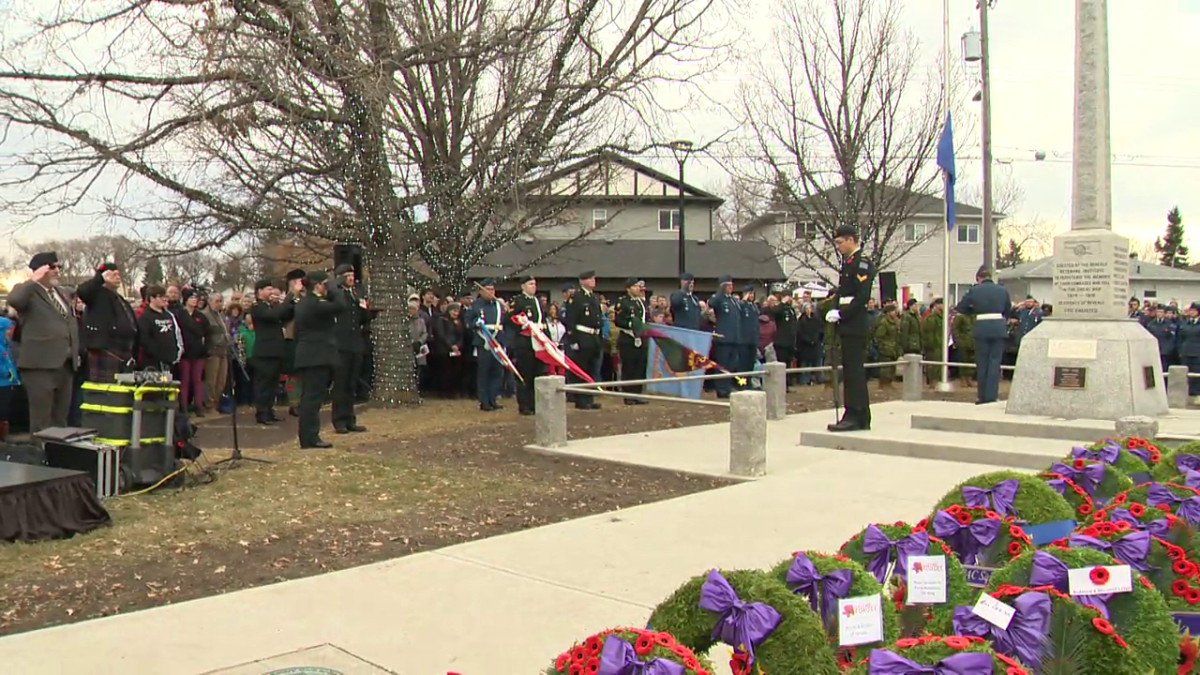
[{"x": 1141, "y": 619}]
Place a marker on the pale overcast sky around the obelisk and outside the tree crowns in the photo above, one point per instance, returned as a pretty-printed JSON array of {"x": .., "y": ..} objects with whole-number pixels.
[{"x": 1155, "y": 94}]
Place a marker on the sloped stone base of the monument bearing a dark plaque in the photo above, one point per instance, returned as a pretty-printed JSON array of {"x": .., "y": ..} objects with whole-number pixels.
[{"x": 1088, "y": 369}]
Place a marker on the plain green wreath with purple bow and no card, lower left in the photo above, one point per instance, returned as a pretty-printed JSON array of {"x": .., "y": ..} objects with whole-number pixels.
[{"x": 797, "y": 647}]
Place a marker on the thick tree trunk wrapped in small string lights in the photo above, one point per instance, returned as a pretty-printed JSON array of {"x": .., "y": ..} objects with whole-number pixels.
[{"x": 395, "y": 365}]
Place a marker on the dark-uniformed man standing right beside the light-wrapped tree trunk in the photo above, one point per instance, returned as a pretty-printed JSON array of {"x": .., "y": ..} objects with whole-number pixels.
[{"x": 351, "y": 347}]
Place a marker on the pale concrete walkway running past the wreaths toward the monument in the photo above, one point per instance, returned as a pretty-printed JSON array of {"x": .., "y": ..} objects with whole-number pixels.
[{"x": 509, "y": 605}]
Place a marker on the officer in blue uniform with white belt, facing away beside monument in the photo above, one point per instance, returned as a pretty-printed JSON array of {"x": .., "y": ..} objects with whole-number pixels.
[{"x": 992, "y": 308}]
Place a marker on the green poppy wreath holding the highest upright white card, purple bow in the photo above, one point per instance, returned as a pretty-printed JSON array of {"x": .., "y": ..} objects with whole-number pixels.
[{"x": 916, "y": 619}]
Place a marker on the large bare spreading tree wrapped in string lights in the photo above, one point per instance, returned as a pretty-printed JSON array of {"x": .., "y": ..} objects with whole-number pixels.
[{"x": 339, "y": 121}]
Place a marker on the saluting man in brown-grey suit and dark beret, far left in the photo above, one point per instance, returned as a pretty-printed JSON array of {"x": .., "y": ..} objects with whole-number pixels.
[{"x": 50, "y": 343}]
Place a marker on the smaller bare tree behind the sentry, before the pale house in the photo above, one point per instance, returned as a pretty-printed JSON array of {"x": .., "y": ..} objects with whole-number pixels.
[{"x": 847, "y": 127}]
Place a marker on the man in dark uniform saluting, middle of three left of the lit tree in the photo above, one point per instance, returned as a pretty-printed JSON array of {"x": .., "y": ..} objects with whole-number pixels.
[{"x": 316, "y": 356}]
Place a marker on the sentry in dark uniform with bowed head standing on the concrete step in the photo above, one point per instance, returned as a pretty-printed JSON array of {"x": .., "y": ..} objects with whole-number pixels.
[{"x": 853, "y": 324}]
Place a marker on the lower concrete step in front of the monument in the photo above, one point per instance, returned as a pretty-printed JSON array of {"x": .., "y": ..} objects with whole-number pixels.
[{"x": 946, "y": 446}]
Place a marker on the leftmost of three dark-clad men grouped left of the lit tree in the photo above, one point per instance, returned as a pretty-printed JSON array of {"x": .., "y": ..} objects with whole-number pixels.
[{"x": 271, "y": 313}]
